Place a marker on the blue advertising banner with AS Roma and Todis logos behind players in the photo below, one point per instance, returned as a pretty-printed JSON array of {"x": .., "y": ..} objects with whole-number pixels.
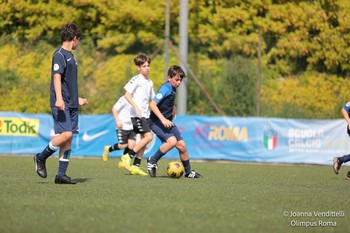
[{"x": 252, "y": 139}]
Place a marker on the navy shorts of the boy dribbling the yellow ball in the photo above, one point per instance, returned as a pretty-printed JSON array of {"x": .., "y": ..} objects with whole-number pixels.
[{"x": 163, "y": 133}]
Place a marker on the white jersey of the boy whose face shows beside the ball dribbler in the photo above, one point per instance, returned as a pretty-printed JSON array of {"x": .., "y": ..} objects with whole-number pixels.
[{"x": 142, "y": 92}]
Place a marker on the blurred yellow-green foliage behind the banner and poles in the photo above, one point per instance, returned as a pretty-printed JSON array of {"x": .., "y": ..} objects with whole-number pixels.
[{"x": 304, "y": 53}]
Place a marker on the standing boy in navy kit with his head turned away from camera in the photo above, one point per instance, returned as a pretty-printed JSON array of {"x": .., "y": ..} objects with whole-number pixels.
[{"x": 64, "y": 102}]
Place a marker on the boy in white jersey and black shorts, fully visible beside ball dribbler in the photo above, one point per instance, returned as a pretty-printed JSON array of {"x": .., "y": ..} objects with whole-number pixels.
[{"x": 139, "y": 92}]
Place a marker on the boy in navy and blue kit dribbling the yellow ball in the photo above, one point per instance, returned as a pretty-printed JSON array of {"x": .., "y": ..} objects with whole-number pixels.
[{"x": 160, "y": 121}]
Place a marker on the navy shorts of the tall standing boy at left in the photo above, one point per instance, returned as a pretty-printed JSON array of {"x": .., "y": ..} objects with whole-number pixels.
[{"x": 65, "y": 120}]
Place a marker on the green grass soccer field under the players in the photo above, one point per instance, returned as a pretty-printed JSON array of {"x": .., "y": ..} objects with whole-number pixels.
[{"x": 232, "y": 197}]
